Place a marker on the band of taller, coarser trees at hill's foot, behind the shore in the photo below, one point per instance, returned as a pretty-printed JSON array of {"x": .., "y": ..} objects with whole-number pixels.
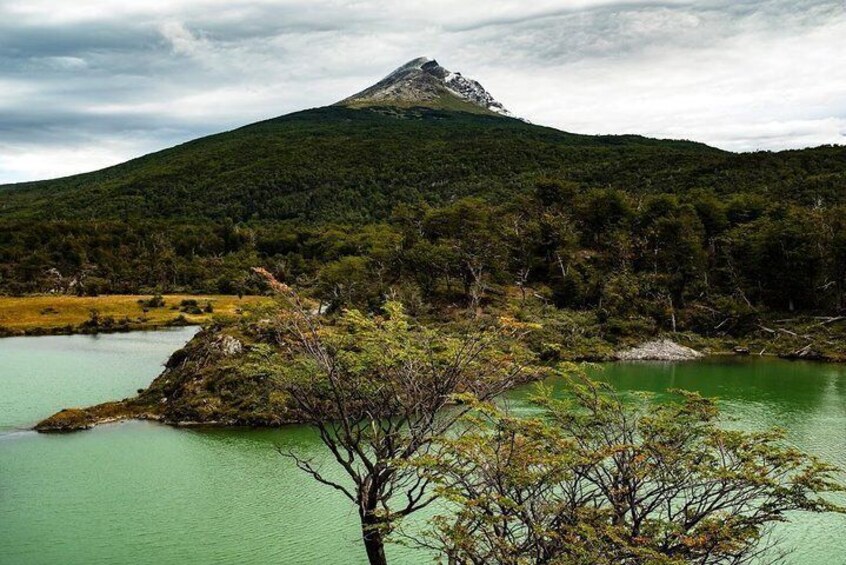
[{"x": 599, "y": 248}]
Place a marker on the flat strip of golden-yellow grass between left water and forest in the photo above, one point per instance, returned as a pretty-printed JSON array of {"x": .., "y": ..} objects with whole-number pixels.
[{"x": 50, "y": 312}]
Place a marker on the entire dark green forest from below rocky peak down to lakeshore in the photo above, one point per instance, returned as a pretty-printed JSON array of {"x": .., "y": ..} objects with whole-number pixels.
[{"x": 445, "y": 208}]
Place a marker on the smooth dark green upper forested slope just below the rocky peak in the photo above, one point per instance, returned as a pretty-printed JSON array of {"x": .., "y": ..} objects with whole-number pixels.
[{"x": 355, "y": 165}]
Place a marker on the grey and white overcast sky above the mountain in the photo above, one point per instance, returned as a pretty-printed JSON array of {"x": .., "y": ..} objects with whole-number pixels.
[{"x": 90, "y": 83}]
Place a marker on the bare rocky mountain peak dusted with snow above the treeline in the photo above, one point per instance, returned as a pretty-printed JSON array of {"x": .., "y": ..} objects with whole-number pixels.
[{"x": 423, "y": 82}]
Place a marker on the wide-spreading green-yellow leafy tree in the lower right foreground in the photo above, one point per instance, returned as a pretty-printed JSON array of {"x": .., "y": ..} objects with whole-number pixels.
[{"x": 599, "y": 481}]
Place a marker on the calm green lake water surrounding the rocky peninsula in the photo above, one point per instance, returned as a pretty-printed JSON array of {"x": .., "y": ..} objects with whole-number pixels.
[{"x": 144, "y": 493}]
